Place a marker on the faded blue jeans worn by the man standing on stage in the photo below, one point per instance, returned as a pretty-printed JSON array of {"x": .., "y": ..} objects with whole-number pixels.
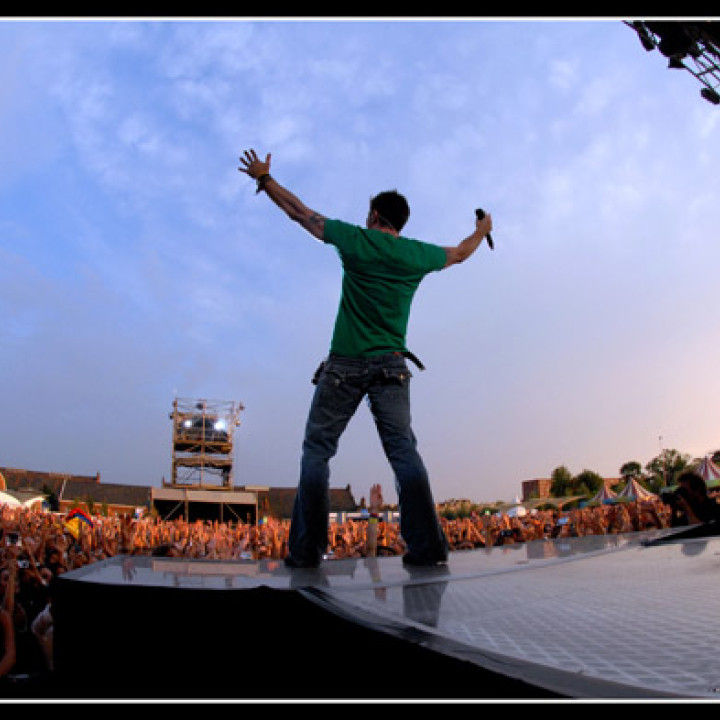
[{"x": 341, "y": 385}]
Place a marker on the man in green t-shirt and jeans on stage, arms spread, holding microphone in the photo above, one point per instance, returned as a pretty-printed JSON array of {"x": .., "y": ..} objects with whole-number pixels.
[{"x": 381, "y": 272}]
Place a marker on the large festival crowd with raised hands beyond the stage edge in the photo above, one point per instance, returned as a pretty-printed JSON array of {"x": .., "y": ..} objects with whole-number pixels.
[{"x": 36, "y": 546}]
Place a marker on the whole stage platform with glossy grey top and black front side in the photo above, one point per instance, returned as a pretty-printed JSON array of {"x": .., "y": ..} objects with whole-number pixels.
[{"x": 597, "y": 617}]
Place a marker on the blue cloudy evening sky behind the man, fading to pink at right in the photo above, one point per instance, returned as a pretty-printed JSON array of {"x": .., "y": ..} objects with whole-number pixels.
[{"x": 138, "y": 265}]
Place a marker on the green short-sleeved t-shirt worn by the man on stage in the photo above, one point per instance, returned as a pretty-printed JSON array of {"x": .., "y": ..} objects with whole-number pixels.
[{"x": 381, "y": 273}]
